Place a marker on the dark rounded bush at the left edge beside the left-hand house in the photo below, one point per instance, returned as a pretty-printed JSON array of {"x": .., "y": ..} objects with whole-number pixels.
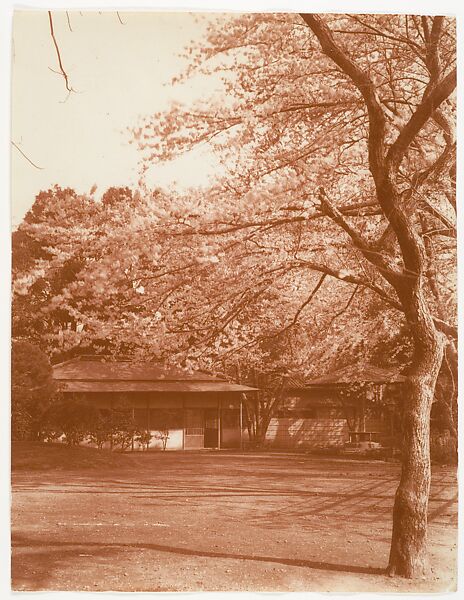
[{"x": 32, "y": 389}]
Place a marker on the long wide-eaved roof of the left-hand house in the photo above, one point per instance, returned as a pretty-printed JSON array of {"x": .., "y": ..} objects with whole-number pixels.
[{"x": 94, "y": 374}]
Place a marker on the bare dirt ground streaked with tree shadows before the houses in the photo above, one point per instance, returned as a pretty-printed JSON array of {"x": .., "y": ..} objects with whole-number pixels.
[{"x": 203, "y": 521}]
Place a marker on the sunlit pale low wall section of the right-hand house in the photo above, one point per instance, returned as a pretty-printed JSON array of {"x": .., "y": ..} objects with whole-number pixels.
[{"x": 308, "y": 433}]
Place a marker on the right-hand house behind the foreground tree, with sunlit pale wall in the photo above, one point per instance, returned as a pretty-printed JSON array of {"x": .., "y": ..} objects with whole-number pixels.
[{"x": 354, "y": 404}]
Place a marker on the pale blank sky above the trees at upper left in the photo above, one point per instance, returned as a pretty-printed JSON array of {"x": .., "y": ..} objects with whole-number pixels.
[{"x": 120, "y": 74}]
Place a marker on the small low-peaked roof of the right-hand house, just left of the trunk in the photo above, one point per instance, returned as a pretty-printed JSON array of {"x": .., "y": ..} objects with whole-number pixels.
[{"x": 358, "y": 373}]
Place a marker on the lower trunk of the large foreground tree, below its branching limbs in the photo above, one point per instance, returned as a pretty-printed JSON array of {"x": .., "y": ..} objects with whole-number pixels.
[{"x": 408, "y": 553}]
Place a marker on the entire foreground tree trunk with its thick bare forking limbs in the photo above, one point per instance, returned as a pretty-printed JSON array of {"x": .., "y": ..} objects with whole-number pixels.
[{"x": 408, "y": 555}]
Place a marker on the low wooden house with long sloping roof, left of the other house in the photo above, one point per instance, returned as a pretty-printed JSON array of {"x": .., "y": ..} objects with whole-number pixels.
[{"x": 195, "y": 410}]
